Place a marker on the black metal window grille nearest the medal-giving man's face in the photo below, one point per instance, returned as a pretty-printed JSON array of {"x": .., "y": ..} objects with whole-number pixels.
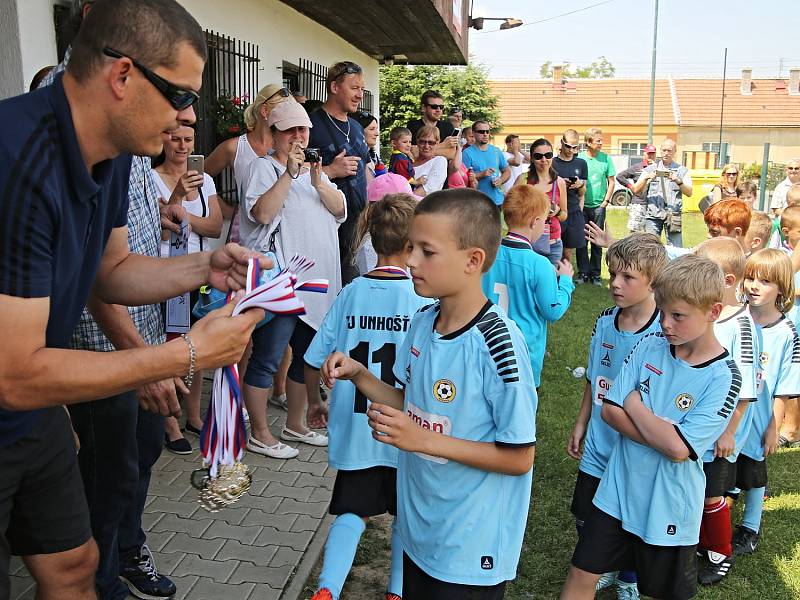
[{"x": 232, "y": 68}]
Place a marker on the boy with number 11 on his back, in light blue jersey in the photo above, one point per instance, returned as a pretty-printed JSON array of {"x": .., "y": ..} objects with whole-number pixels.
[{"x": 368, "y": 322}]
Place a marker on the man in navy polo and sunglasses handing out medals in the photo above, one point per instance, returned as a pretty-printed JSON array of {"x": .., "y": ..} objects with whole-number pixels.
[{"x": 133, "y": 74}]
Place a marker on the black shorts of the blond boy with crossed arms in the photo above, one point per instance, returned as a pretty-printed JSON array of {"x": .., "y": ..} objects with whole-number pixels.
[{"x": 662, "y": 571}]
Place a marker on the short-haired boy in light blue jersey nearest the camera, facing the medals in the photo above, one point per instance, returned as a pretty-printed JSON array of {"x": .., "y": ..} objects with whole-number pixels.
[{"x": 466, "y": 417}]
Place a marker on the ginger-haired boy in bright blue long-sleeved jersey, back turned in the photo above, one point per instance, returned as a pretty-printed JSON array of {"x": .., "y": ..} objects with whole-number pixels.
[{"x": 523, "y": 282}]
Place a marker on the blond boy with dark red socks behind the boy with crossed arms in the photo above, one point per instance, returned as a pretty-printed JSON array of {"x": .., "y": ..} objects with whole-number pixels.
[{"x": 736, "y": 332}]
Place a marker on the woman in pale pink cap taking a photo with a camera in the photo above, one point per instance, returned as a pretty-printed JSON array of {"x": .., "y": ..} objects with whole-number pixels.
[{"x": 289, "y": 207}]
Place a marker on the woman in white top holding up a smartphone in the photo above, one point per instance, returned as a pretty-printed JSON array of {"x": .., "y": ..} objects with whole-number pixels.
[{"x": 195, "y": 190}]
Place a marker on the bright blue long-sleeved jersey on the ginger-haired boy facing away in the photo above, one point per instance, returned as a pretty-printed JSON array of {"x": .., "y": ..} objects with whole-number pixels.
[{"x": 525, "y": 285}]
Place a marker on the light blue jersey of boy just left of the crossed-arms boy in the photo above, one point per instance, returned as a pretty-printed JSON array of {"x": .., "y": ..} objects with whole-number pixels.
[{"x": 608, "y": 349}]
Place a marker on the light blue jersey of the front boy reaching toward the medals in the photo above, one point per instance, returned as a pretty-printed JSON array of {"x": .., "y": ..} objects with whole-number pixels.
[{"x": 457, "y": 523}]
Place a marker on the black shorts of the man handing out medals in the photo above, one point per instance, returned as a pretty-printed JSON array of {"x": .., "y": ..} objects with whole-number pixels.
[{"x": 43, "y": 507}]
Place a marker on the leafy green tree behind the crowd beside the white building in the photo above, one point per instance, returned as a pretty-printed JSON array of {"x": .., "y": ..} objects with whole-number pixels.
[{"x": 466, "y": 87}]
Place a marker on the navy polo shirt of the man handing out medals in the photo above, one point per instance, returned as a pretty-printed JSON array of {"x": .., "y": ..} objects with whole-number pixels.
[{"x": 57, "y": 217}]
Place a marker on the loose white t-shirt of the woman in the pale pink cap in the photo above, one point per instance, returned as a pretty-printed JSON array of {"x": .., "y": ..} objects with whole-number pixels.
[{"x": 306, "y": 227}]
